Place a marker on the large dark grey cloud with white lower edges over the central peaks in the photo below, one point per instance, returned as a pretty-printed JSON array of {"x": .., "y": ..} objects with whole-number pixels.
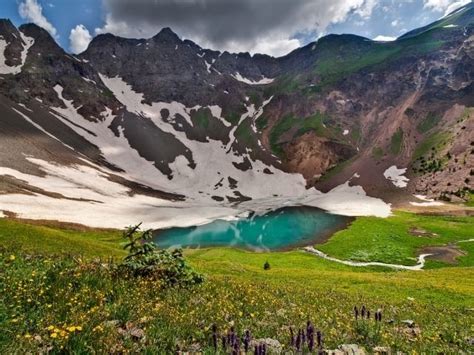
[{"x": 245, "y": 25}]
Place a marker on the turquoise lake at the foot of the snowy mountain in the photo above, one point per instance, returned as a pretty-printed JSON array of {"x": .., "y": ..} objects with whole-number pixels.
[{"x": 282, "y": 229}]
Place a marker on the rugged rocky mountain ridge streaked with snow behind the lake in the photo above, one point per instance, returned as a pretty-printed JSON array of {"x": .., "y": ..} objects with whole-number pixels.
[{"x": 156, "y": 124}]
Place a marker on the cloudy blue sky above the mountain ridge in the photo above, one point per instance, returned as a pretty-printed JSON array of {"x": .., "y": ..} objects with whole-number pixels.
[{"x": 273, "y": 27}]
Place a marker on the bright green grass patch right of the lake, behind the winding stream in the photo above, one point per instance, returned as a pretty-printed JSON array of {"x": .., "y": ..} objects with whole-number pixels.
[{"x": 397, "y": 239}]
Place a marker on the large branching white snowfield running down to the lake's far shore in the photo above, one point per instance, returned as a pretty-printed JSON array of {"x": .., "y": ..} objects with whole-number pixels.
[{"x": 86, "y": 195}]
